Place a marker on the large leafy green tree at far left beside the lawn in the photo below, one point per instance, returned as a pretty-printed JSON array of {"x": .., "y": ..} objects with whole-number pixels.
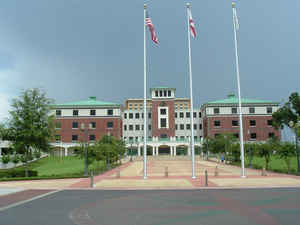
[{"x": 30, "y": 126}]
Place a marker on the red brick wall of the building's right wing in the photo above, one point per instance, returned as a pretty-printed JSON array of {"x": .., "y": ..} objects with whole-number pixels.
[{"x": 261, "y": 129}]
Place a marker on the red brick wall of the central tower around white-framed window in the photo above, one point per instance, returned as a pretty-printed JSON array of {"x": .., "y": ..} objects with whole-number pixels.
[{"x": 170, "y": 132}]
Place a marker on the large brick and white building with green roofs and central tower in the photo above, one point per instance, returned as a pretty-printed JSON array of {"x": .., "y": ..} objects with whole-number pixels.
[{"x": 168, "y": 122}]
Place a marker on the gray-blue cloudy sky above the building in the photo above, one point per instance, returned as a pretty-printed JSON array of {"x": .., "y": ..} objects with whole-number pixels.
[{"x": 74, "y": 49}]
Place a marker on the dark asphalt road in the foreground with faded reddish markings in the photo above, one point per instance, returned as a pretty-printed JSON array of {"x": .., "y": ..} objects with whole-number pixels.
[{"x": 201, "y": 207}]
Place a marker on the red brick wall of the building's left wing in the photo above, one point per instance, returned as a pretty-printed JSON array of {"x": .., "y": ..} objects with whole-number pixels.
[{"x": 101, "y": 129}]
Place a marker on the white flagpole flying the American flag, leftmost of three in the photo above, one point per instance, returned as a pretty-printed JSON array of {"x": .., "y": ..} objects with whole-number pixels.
[{"x": 145, "y": 93}]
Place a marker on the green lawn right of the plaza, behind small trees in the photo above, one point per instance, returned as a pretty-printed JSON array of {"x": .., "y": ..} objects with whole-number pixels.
[{"x": 276, "y": 164}]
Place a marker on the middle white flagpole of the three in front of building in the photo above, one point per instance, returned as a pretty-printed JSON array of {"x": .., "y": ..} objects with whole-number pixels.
[{"x": 191, "y": 95}]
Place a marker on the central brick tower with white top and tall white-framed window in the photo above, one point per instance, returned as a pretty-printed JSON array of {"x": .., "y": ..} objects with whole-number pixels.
[{"x": 163, "y": 122}]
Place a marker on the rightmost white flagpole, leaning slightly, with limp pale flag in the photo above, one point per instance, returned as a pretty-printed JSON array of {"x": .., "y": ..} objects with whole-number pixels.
[{"x": 239, "y": 89}]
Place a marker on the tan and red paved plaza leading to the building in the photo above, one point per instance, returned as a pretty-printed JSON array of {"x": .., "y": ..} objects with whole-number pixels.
[{"x": 179, "y": 177}]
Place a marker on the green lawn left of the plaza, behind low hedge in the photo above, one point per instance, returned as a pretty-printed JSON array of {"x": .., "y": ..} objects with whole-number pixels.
[{"x": 62, "y": 166}]
